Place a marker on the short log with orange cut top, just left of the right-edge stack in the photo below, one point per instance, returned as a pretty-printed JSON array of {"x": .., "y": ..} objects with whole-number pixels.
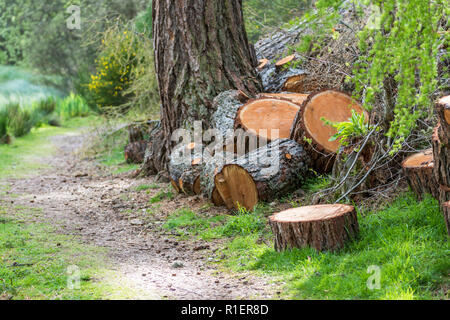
[{"x": 418, "y": 169}]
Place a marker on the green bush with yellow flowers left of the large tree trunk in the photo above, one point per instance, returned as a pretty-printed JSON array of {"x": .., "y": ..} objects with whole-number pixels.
[{"x": 110, "y": 83}]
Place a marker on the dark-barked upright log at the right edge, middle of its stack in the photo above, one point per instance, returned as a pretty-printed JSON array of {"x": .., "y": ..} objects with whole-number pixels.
[{"x": 441, "y": 153}]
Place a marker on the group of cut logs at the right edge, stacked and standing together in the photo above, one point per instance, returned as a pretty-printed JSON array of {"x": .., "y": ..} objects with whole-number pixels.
[{"x": 429, "y": 171}]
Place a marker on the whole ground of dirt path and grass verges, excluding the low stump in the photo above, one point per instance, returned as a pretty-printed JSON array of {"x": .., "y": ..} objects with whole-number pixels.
[{"x": 62, "y": 205}]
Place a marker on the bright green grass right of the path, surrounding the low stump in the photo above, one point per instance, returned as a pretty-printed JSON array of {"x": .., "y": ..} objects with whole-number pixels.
[{"x": 405, "y": 244}]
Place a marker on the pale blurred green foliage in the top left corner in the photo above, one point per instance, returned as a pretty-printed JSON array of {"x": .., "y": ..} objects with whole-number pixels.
[{"x": 35, "y": 33}]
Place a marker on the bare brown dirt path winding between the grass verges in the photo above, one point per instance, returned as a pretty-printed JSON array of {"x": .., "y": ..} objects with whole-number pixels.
[{"x": 80, "y": 198}]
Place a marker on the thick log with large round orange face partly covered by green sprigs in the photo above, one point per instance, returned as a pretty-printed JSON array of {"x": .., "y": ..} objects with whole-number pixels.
[{"x": 310, "y": 130}]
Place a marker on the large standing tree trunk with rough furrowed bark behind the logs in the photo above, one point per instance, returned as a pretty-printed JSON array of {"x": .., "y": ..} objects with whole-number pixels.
[{"x": 201, "y": 49}]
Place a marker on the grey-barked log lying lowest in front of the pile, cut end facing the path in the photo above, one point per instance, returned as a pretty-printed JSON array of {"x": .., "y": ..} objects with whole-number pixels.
[{"x": 262, "y": 174}]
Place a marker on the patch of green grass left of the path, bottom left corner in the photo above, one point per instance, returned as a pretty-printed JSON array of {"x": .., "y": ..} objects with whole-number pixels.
[{"x": 35, "y": 263}]
